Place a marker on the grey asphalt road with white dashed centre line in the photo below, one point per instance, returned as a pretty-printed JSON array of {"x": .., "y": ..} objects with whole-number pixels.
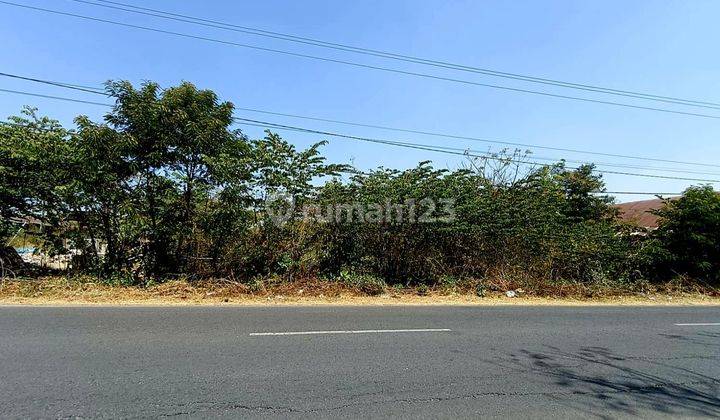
[{"x": 494, "y": 362}]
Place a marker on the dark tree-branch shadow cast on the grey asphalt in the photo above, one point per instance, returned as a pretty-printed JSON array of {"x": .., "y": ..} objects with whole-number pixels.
[{"x": 601, "y": 383}]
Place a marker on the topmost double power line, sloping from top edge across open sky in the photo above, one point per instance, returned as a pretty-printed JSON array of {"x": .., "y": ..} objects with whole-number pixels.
[{"x": 389, "y": 55}]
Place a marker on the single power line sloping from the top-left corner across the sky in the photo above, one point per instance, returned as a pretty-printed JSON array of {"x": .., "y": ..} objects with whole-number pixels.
[{"x": 359, "y": 65}]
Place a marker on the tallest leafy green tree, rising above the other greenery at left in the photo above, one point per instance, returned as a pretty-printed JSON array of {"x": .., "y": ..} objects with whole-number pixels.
[{"x": 176, "y": 134}]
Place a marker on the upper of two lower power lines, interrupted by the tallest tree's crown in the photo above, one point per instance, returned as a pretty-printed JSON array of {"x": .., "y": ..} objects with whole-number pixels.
[{"x": 426, "y": 133}]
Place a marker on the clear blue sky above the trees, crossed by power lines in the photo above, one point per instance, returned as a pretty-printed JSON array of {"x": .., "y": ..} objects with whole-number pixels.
[{"x": 662, "y": 47}]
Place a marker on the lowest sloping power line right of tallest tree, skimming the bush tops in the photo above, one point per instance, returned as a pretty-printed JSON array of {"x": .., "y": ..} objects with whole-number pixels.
[{"x": 444, "y": 150}]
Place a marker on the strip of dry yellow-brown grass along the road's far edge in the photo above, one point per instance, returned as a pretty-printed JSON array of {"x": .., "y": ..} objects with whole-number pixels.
[{"x": 66, "y": 291}]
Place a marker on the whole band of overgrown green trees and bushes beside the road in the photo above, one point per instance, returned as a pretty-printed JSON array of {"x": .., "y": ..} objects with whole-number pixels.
[{"x": 165, "y": 188}]
